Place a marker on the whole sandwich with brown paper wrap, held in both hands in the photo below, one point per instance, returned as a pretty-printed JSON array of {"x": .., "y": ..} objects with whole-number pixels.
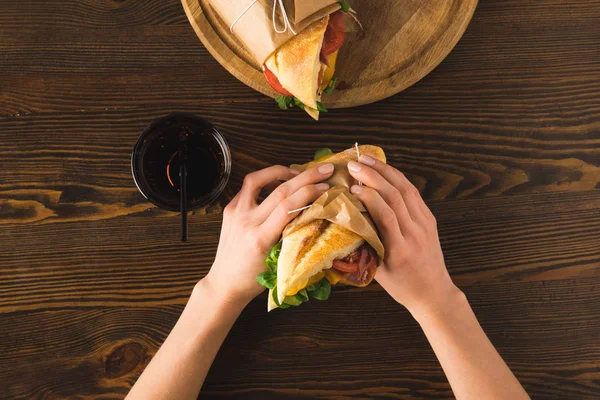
[{"x": 332, "y": 242}]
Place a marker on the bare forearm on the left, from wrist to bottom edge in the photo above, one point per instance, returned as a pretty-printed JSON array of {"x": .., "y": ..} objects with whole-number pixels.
[{"x": 180, "y": 366}]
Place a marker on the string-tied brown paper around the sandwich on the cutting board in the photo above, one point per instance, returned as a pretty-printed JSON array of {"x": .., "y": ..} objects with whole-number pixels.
[{"x": 255, "y": 28}]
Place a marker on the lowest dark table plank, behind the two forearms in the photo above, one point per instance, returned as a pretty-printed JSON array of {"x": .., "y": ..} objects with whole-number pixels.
[{"x": 98, "y": 349}]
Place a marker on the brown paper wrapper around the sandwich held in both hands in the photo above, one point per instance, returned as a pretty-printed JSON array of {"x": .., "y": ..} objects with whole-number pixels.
[{"x": 339, "y": 206}]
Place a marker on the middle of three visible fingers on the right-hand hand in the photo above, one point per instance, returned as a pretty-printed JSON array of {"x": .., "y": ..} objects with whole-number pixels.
[{"x": 386, "y": 190}]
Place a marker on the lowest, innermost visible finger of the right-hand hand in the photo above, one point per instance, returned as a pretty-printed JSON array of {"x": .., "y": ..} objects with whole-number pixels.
[{"x": 383, "y": 215}]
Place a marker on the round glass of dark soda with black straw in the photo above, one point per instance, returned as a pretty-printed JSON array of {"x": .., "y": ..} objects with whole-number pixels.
[{"x": 157, "y": 157}]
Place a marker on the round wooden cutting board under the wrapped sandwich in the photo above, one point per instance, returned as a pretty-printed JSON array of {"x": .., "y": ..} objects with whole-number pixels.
[{"x": 404, "y": 41}]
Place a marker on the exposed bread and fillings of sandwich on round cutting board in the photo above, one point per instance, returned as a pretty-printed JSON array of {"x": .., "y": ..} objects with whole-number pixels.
[{"x": 303, "y": 67}]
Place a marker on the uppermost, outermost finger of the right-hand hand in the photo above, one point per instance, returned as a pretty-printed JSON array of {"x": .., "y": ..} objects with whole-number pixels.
[{"x": 410, "y": 194}]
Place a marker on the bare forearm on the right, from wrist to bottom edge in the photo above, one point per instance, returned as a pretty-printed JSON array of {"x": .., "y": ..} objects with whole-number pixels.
[{"x": 472, "y": 365}]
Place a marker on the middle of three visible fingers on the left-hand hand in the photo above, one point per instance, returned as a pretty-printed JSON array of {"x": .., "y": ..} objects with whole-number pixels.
[{"x": 287, "y": 189}]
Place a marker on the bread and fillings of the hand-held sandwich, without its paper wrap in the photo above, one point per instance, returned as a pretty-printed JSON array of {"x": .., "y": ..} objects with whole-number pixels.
[{"x": 308, "y": 261}]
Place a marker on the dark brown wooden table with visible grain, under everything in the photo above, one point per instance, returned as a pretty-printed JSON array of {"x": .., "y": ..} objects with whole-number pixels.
[{"x": 503, "y": 139}]
